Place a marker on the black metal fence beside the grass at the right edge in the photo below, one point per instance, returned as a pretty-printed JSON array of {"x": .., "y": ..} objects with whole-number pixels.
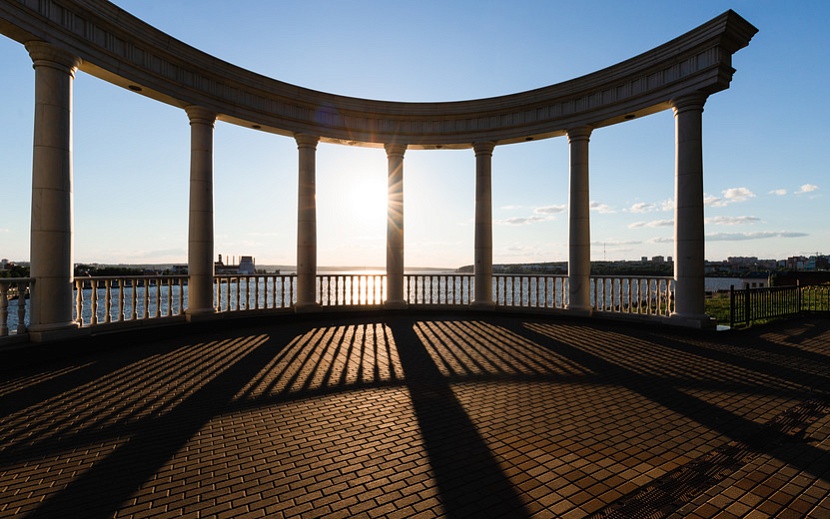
[{"x": 760, "y": 304}]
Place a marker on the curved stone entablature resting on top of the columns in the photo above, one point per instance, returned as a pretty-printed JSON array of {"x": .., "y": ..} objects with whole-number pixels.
[{"x": 123, "y": 50}]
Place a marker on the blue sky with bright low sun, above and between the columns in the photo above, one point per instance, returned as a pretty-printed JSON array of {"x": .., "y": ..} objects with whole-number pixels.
[{"x": 766, "y": 151}]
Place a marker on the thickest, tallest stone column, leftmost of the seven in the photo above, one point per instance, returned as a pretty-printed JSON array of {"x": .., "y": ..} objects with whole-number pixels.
[{"x": 51, "y": 252}]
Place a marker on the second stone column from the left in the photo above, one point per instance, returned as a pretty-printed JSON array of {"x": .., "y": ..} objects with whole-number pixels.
[{"x": 200, "y": 231}]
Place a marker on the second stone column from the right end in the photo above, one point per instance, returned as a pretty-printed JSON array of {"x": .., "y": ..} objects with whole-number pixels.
[{"x": 579, "y": 224}]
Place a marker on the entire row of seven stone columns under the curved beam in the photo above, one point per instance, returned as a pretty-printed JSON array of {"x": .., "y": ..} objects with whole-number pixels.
[{"x": 52, "y": 213}]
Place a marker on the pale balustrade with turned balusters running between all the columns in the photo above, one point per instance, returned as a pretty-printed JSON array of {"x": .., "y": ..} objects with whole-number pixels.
[{"x": 129, "y": 299}]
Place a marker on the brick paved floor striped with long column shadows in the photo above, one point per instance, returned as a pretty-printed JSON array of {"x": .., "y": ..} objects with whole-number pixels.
[{"x": 425, "y": 417}]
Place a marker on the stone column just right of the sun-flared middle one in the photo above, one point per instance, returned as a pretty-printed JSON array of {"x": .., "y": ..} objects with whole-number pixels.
[{"x": 484, "y": 226}]
